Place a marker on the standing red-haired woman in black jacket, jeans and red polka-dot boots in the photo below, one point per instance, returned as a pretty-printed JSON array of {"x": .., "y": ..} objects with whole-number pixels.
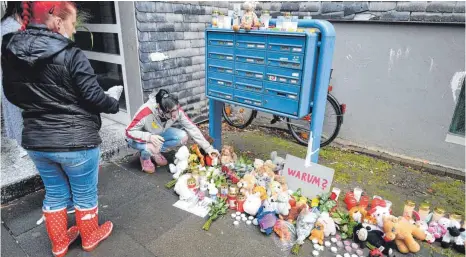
[{"x": 55, "y": 85}]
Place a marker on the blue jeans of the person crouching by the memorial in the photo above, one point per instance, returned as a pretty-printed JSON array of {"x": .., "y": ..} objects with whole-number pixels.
[{"x": 173, "y": 138}]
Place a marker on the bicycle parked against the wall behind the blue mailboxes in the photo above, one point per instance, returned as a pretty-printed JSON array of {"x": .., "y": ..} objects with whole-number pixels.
[{"x": 298, "y": 128}]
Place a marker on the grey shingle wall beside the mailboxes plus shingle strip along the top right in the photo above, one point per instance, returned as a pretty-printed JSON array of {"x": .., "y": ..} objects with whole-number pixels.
[{"x": 176, "y": 30}]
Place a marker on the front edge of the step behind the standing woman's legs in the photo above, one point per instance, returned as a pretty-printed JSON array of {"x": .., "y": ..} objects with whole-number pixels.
[{"x": 34, "y": 183}]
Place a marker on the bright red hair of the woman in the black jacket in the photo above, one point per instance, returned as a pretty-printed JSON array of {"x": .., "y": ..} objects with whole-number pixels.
[{"x": 39, "y": 12}]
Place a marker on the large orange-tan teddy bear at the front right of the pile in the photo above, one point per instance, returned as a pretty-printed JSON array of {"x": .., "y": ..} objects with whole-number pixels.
[{"x": 403, "y": 232}]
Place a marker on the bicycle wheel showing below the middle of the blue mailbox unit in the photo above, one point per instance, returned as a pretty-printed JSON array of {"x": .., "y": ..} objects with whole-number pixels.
[{"x": 238, "y": 116}]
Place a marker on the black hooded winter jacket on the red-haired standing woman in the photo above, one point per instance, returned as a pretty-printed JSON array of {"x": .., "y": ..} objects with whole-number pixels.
[{"x": 55, "y": 85}]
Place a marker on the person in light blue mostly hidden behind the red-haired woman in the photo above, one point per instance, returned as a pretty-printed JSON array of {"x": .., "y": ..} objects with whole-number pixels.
[{"x": 11, "y": 22}]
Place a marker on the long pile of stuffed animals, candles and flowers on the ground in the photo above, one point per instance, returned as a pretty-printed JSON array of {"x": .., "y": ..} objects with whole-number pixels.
[{"x": 255, "y": 189}]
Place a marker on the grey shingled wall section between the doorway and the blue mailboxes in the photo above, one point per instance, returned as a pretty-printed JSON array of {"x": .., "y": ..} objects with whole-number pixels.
[{"x": 176, "y": 30}]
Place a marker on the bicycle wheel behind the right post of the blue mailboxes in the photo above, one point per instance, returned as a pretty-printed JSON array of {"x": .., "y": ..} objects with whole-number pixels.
[{"x": 333, "y": 119}]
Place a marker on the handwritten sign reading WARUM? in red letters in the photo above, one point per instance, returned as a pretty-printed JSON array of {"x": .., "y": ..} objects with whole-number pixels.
[{"x": 313, "y": 181}]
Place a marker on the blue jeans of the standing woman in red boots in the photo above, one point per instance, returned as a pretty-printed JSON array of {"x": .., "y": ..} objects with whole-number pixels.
[{"x": 68, "y": 175}]
